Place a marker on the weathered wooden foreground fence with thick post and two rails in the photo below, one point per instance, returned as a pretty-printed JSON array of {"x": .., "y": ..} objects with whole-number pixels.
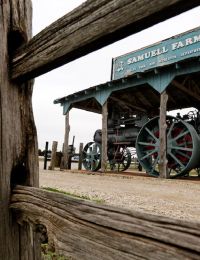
[{"x": 81, "y": 229}]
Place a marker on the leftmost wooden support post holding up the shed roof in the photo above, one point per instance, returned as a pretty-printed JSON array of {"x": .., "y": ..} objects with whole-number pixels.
[{"x": 65, "y": 159}]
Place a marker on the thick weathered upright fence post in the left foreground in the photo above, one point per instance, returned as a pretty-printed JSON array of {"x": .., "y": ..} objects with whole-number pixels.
[{"x": 18, "y": 138}]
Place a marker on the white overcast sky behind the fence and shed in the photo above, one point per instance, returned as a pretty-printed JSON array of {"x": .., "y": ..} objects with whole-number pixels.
[{"x": 85, "y": 72}]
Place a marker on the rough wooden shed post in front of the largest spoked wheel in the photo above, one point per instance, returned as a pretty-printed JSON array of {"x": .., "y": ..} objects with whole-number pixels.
[{"x": 163, "y": 138}]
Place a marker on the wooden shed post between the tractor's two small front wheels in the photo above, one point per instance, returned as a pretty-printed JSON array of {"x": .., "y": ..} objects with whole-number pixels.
[{"x": 104, "y": 147}]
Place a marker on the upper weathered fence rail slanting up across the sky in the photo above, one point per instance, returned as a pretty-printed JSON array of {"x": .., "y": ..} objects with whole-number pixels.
[{"x": 94, "y": 24}]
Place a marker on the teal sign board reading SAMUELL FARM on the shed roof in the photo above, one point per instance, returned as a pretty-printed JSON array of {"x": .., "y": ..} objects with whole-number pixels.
[{"x": 169, "y": 51}]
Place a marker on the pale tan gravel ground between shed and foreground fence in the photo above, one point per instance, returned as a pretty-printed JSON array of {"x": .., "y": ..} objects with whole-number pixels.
[{"x": 178, "y": 199}]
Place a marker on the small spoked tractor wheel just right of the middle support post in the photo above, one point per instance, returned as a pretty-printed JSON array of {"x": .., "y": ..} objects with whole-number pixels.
[{"x": 119, "y": 158}]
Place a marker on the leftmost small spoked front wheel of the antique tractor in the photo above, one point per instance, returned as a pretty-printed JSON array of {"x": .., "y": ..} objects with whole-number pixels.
[{"x": 92, "y": 156}]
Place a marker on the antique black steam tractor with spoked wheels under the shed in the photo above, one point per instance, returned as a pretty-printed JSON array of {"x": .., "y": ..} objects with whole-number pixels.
[{"x": 126, "y": 131}]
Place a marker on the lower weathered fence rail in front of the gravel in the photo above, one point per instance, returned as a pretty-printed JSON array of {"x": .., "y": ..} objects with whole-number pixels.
[{"x": 87, "y": 230}]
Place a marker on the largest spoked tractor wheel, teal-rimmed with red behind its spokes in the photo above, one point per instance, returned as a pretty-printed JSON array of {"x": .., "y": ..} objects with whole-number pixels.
[{"x": 182, "y": 147}]
